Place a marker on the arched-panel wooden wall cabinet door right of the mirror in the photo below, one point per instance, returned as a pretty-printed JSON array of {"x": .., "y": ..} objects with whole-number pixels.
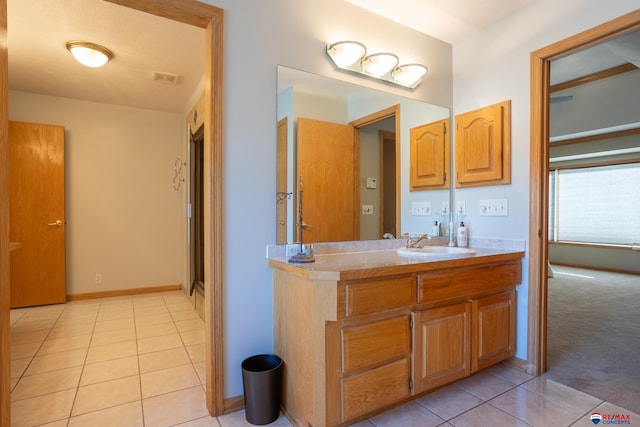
[{"x": 483, "y": 146}]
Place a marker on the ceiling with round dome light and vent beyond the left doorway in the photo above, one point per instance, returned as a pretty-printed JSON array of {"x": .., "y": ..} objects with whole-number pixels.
[{"x": 142, "y": 45}]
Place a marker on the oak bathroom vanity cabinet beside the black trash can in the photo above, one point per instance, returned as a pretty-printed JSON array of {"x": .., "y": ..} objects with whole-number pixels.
[{"x": 358, "y": 340}]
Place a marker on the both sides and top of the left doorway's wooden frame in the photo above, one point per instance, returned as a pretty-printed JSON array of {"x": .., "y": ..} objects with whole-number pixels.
[{"x": 203, "y": 16}]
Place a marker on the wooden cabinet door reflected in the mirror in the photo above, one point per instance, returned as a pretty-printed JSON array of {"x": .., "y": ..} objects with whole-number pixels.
[{"x": 429, "y": 154}]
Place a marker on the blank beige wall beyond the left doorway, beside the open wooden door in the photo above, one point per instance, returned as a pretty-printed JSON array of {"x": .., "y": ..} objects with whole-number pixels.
[{"x": 124, "y": 220}]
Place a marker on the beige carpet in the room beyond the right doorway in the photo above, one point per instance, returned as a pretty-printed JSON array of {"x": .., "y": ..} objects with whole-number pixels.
[{"x": 594, "y": 334}]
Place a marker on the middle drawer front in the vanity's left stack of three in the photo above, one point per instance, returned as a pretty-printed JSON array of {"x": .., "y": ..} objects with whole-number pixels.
[{"x": 375, "y": 343}]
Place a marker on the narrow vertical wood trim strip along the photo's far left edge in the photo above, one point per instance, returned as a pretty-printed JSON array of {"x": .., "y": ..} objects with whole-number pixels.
[{"x": 5, "y": 348}]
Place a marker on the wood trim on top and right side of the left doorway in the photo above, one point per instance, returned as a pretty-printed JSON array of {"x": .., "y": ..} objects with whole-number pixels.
[{"x": 211, "y": 19}]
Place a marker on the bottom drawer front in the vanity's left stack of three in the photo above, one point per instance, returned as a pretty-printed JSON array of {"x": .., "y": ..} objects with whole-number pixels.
[{"x": 375, "y": 389}]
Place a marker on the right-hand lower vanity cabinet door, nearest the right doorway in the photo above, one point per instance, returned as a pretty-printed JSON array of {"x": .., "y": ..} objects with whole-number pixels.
[{"x": 494, "y": 329}]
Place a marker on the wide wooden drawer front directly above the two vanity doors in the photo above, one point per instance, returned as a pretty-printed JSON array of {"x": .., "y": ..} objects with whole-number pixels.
[{"x": 468, "y": 282}]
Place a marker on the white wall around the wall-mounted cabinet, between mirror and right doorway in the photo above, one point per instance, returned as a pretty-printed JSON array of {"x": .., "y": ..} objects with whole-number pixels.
[{"x": 492, "y": 66}]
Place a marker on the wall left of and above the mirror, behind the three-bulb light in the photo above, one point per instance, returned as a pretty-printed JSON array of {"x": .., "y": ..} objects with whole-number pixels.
[{"x": 259, "y": 35}]
